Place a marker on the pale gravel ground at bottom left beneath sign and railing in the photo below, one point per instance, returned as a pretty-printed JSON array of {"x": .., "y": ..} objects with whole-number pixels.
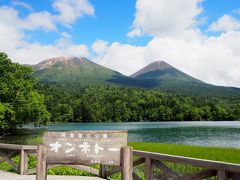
[{"x": 11, "y": 176}]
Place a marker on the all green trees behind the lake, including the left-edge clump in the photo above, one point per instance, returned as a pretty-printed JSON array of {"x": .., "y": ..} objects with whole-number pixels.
[{"x": 24, "y": 101}]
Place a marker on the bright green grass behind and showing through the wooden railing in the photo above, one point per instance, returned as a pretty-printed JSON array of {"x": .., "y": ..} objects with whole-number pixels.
[{"x": 219, "y": 154}]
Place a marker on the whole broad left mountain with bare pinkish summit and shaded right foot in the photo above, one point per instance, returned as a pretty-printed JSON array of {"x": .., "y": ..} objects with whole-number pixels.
[{"x": 74, "y": 72}]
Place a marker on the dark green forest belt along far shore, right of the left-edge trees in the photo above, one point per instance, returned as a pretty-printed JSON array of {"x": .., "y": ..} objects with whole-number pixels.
[{"x": 118, "y": 104}]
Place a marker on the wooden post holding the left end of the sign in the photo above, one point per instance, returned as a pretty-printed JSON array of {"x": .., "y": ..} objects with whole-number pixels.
[{"x": 41, "y": 173}]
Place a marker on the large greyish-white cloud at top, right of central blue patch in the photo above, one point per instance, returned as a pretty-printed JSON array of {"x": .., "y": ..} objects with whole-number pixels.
[{"x": 162, "y": 17}]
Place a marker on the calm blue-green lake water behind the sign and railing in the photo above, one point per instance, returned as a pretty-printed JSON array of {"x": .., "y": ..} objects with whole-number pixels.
[{"x": 221, "y": 134}]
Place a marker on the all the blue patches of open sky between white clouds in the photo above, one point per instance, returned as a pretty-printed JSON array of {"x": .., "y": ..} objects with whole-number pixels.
[{"x": 112, "y": 20}]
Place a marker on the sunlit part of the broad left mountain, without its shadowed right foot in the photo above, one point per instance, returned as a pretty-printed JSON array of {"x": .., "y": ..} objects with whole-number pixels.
[{"x": 72, "y": 71}]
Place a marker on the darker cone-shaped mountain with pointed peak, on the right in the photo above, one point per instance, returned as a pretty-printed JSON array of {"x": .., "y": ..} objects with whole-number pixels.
[{"x": 171, "y": 79}]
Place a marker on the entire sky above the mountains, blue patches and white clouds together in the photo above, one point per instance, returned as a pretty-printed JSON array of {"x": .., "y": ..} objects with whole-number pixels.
[{"x": 197, "y": 36}]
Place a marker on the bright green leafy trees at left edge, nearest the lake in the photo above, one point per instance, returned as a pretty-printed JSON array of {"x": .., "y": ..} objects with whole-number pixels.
[{"x": 20, "y": 103}]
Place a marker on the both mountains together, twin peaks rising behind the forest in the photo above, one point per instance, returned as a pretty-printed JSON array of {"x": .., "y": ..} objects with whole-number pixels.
[{"x": 80, "y": 72}]
